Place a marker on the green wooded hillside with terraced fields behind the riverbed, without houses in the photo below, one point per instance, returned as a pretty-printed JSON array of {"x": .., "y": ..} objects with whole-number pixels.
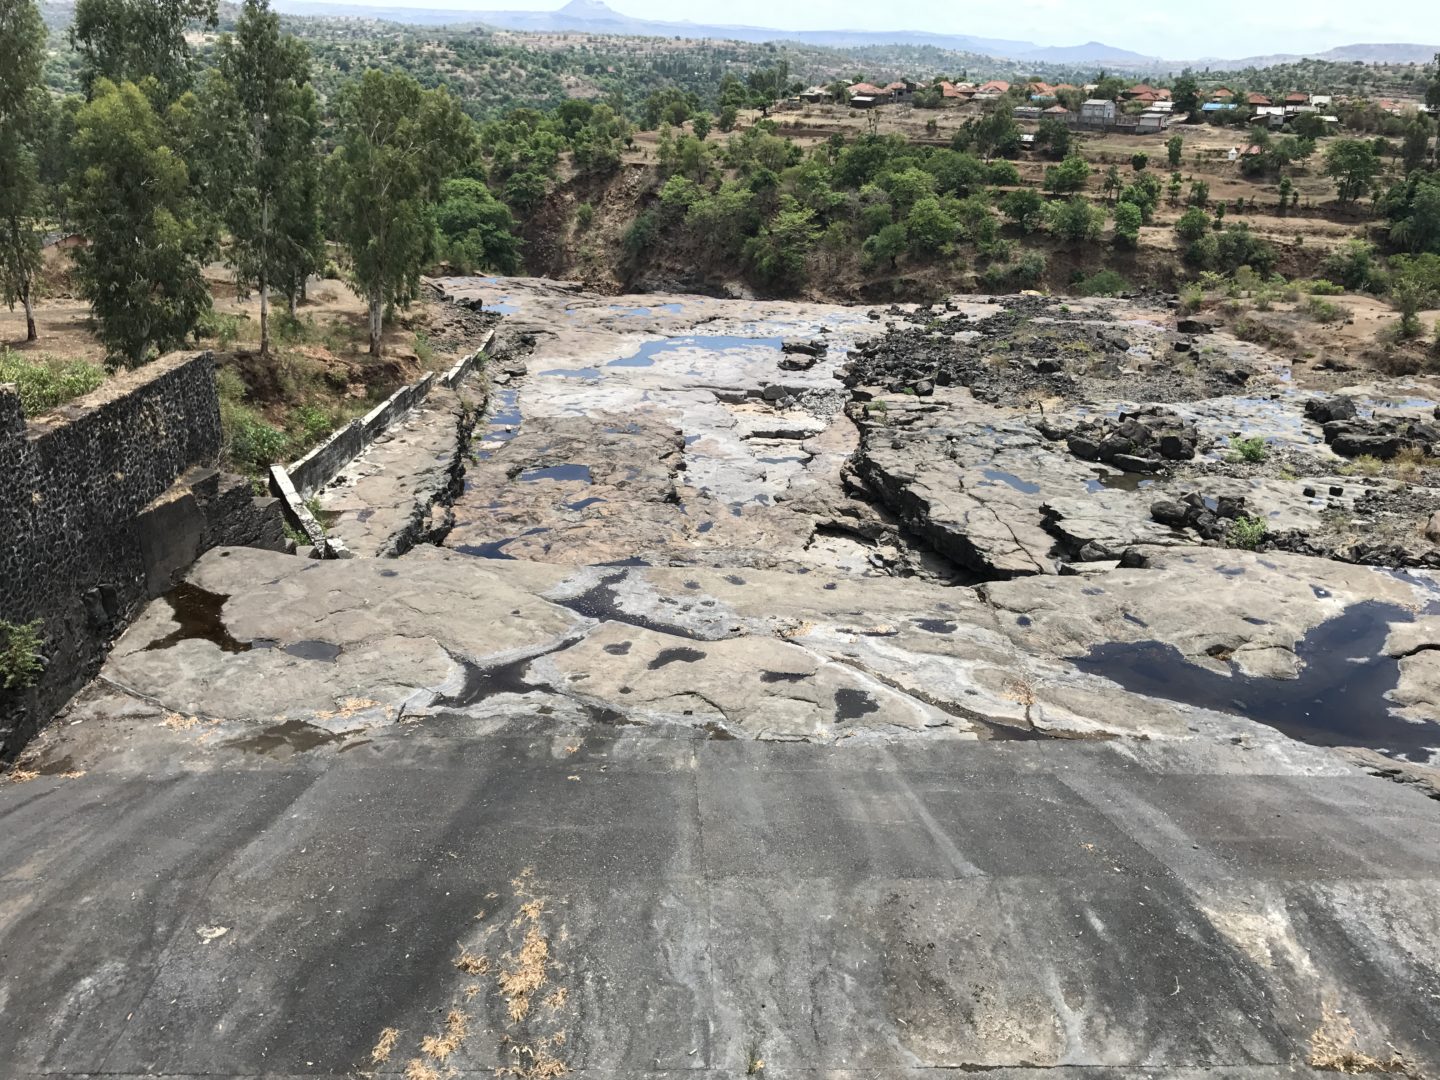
[{"x": 171, "y": 138}]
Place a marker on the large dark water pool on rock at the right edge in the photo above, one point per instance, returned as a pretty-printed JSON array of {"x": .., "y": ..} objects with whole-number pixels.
[{"x": 1338, "y": 699}]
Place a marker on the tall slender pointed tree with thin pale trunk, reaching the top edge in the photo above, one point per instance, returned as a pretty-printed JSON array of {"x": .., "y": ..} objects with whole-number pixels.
[{"x": 266, "y": 116}]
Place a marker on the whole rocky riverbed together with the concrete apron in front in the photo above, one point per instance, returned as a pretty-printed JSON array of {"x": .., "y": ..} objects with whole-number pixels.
[{"x": 780, "y": 688}]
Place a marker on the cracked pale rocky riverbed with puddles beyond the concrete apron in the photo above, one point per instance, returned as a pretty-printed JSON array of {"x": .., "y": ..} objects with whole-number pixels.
[{"x": 721, "y": 521}]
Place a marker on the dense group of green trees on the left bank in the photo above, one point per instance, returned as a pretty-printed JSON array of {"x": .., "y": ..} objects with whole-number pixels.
[{"x": 162, "y": 166}]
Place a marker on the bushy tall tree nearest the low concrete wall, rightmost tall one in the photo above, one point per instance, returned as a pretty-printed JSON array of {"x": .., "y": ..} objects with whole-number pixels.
[{"x": 398, "y": 143}]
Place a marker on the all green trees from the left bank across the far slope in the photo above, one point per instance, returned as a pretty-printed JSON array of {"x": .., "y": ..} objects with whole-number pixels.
[{"x": 162, "y": 165}]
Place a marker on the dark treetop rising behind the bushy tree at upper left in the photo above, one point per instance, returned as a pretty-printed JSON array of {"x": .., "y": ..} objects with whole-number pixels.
[{"x": 133, "y": 40}]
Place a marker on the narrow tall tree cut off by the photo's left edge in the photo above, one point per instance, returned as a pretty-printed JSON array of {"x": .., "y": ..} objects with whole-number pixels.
[{"x": 22, "y": 107}]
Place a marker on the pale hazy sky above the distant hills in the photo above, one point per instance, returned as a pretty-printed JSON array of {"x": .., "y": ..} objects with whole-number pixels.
[{"x": 1219, "y": 28}]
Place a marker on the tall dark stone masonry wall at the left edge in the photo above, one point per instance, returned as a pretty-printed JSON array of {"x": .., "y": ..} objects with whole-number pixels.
[{"x": 102, "y": 505}]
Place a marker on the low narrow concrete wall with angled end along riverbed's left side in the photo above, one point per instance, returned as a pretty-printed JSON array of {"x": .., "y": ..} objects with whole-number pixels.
[{"x": 293, "y": 485}]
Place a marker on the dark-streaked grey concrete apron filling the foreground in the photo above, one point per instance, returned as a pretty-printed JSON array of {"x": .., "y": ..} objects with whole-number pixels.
[{"x": 829, "y": 912}]
